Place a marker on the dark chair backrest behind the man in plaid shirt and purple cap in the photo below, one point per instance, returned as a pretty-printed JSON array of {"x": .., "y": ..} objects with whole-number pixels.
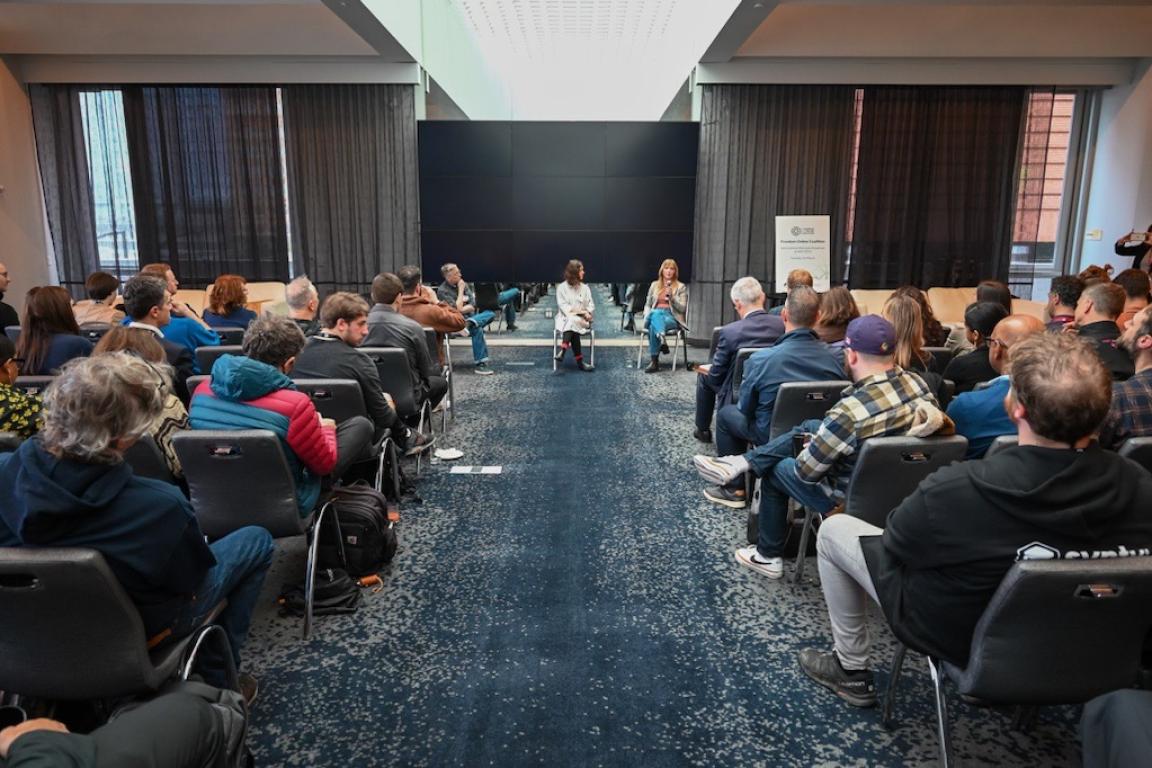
[{"x": 889, "y": 470}]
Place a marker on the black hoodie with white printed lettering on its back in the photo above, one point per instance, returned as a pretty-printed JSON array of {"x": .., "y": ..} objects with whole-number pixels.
[{"x": 948, "y": 548}]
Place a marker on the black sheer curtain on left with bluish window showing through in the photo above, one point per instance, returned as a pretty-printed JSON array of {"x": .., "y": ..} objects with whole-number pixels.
[{"x": 208, "y": 183}]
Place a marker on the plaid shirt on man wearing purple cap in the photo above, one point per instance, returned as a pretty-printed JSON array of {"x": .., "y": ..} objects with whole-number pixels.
[{"x": 877, "y": 406}]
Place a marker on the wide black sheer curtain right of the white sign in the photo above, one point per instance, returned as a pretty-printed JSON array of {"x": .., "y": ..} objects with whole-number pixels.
[{"x": 935, "y": 186}]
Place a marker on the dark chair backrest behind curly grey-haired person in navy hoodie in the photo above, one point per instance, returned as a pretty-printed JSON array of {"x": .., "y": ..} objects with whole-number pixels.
[{"x": 70, "y": 629}]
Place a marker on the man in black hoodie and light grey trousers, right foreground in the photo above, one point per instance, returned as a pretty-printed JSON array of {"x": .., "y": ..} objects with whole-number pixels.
[{"x": 945, "y": 550}]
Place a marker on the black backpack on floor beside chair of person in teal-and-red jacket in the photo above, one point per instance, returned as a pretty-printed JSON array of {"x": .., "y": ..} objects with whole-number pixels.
[{"x": 367, "y": 531}]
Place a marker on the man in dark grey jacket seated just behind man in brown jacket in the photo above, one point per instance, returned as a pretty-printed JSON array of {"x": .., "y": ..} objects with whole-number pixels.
[{"x": 388, "y": 328}]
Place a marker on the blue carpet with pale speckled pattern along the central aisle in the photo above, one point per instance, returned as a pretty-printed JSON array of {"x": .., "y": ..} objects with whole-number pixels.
[{"x": 583, "y": 609}]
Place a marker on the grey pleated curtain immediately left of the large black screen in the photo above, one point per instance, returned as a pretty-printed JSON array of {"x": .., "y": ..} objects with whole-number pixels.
[{"x": 353, "y": 180}]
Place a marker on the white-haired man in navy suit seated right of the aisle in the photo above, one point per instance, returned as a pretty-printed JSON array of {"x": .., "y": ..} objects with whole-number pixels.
[{"x": 755, "y": 329}]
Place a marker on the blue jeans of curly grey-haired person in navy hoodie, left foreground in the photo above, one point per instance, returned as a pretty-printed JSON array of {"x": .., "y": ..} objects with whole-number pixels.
[{"x": 244, "y": 558}]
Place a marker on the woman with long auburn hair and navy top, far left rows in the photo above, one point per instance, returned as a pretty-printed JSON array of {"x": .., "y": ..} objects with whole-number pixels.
[{"x": 49, "y": 336}]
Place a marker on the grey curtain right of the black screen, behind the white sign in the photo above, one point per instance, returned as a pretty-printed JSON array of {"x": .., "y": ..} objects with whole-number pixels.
[{"x": 766, "y": 151}]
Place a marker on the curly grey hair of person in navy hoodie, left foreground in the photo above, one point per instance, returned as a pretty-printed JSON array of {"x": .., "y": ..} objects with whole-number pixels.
[{"x": 97, "y": 402}]
